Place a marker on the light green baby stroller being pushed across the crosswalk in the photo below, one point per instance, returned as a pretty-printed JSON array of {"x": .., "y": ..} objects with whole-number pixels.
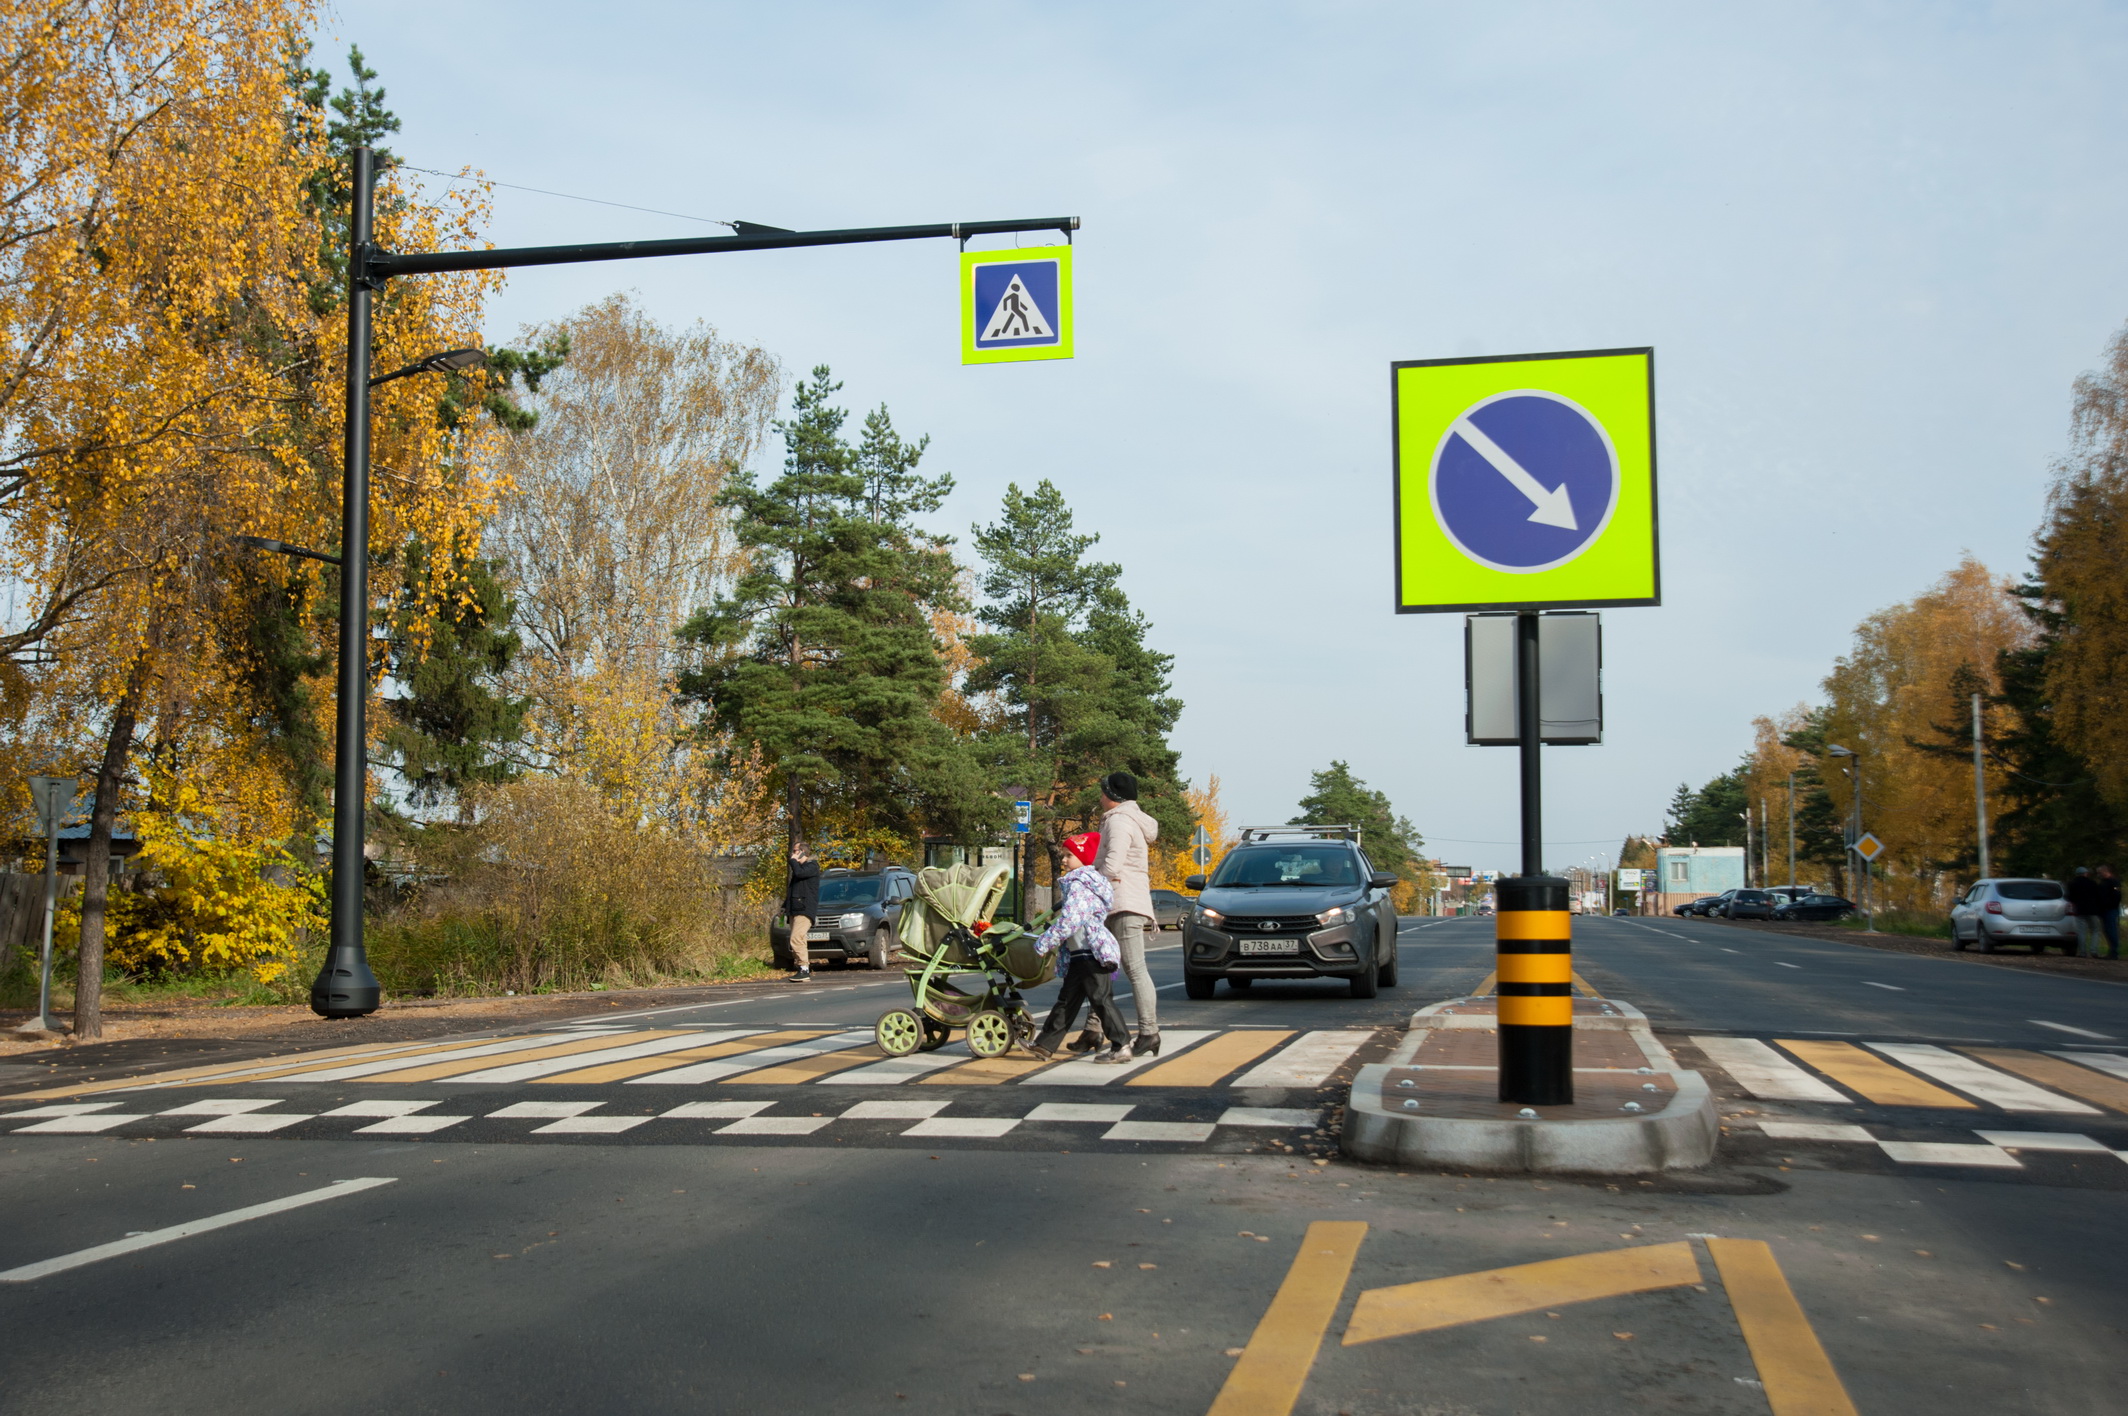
[{"x": 963, "y": 970}]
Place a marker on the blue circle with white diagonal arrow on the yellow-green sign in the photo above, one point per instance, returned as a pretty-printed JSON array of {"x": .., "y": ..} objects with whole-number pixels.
[{"x": 1525, "y": 482}]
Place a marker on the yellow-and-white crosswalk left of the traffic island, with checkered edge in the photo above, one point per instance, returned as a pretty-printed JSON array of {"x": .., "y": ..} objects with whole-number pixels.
[{"x": 716, "y": 1085}]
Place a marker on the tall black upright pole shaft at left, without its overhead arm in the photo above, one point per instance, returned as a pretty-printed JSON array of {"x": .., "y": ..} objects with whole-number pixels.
[{"x": 346, "y": 987}]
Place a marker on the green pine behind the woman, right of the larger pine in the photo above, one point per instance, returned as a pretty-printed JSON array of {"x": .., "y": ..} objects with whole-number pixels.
[{"x": 1067, "y": 655}]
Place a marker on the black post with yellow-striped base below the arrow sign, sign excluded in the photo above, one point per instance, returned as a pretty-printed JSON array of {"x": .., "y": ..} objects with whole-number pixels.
[{"x": 1533, "y": 927}]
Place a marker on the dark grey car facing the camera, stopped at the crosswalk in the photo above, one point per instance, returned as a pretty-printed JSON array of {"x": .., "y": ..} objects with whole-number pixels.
[{"x": 1293, "y": 902}]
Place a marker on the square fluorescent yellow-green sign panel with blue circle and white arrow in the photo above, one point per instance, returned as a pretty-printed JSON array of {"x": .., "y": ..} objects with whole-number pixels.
[{"x": 1527, "y": 482}]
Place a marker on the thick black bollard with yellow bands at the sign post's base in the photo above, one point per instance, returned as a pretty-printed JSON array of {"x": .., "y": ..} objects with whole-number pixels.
[{"x": 1537, "y": 991}]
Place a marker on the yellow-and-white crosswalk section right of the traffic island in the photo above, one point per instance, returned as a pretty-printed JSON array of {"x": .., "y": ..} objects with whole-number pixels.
[{"x": 1927, "y": 1089}]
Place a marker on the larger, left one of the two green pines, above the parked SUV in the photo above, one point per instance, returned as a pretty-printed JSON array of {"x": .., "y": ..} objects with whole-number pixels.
[{"x": 825, "y": 655}]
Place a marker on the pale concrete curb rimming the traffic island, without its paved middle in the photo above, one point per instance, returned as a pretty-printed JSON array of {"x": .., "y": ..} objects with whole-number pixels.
[{"x": 1680, "y": 1136}]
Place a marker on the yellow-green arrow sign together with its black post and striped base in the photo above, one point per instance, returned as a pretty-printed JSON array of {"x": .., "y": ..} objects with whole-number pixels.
[{"x": 1527, "y": 484}]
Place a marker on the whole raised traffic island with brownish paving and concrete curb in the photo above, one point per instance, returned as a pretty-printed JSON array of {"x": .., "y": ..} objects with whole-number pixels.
[{"x": 1435, "y": 1100}]
